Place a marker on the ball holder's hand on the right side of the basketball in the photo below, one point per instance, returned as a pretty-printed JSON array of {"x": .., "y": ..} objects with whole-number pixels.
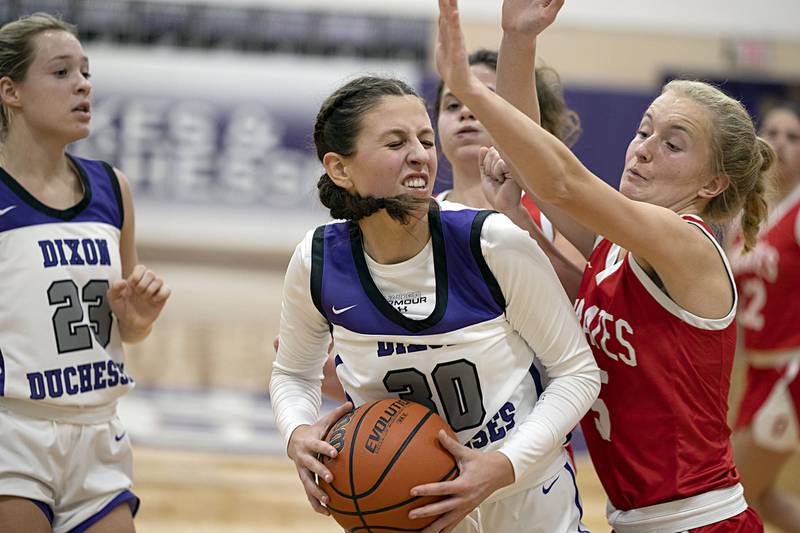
[{"x": 480, "y": 474}]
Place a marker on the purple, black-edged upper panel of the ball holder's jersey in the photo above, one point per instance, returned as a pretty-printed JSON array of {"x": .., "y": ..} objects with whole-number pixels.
[{"x": 348, "y": 296}]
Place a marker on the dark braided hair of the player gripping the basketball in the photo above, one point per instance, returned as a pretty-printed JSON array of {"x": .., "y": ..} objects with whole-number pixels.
[{"x": 336, "y": 129}]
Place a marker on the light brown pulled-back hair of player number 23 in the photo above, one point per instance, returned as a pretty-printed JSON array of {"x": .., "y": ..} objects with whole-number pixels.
[{"x": 17, "y": 51}]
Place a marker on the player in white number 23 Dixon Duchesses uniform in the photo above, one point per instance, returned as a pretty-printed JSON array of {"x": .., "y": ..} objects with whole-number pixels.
[{"x": 72, "y": 292}]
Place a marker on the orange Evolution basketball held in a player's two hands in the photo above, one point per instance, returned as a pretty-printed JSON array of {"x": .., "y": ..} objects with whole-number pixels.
[{"x": 385, "y": 448}]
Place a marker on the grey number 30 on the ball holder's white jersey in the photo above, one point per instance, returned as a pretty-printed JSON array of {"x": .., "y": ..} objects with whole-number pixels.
[{"x": 456, "y": 384}]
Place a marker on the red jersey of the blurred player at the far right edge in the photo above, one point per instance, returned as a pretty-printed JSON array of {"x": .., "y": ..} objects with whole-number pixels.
[{"x": 768, "y": 279}]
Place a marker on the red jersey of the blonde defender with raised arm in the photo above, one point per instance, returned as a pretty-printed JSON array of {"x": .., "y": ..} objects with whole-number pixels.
[{"x": 658, "y": 432}]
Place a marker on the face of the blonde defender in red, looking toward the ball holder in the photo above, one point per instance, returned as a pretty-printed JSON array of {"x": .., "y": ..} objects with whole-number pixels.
[{"x": 668, "y": 160}]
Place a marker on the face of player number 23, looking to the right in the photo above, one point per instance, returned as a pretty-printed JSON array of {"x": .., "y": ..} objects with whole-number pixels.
[{"x": 54, "y": 97}]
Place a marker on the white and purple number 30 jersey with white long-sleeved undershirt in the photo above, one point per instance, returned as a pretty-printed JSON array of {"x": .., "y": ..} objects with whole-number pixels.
[{"x": 465, "y": 327}]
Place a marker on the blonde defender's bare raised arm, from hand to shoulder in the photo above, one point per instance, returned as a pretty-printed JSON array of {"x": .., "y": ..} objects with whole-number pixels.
[{"x": 552, "y": 171}]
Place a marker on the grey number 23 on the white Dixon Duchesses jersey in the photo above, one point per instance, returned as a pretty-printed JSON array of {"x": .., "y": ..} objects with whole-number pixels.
[{"x": 70, "y": 331}]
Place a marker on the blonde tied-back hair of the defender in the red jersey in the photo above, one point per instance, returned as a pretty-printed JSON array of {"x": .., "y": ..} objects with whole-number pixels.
[{"x": 737, "y": 152}]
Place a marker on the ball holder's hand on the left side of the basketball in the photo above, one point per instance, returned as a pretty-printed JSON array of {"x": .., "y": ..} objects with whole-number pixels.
[{"x": 306, "y": 445}]
